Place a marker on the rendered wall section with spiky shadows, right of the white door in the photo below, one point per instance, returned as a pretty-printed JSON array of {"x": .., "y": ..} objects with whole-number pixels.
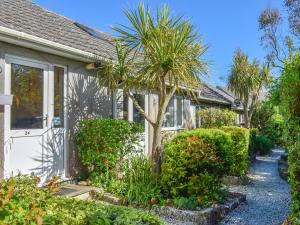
[{"x": 86, "y": 100}]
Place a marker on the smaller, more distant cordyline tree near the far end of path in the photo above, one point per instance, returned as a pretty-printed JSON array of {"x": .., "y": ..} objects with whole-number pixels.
[{"x": 247, "y": 80}]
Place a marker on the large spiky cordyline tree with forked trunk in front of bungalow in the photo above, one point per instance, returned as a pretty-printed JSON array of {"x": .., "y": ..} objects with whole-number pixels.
[{"x": 155, "y": 54}]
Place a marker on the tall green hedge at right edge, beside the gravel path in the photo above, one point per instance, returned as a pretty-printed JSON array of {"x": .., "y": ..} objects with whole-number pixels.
[{"x": 289, "y": 85}]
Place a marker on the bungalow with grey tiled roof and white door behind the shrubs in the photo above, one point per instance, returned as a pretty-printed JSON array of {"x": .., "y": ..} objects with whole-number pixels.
[{"x": 43, "y": 63}]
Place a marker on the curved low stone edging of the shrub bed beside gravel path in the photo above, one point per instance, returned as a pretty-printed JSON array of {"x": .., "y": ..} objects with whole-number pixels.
[{"x": 208, "y": 216}]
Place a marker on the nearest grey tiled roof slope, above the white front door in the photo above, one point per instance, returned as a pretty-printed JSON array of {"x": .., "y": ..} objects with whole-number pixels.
[{"x": 26, "y": 16}]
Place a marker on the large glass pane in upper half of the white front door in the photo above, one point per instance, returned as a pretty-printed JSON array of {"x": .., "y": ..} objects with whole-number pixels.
[{"x": 27, "y": 88}]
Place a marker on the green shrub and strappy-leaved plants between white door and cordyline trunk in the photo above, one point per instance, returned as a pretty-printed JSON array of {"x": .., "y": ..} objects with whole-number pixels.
[{"x": 108, "y": 147}]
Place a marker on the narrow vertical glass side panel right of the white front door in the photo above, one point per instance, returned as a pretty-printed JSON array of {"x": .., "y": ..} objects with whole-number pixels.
[{"x": 58, "y": 120}]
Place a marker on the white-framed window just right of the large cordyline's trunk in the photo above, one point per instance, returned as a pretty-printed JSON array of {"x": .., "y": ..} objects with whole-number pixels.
[{"x": 174, "y": 113}]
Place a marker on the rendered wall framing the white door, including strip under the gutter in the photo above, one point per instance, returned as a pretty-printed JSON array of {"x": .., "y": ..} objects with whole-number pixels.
[{"x": 85, "y": 99}]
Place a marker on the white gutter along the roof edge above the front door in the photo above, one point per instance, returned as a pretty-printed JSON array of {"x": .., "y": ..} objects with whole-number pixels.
[{"x": 26, "y": 40}]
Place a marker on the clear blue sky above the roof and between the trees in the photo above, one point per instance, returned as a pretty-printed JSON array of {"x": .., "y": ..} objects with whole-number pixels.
[{"x": 224, "y": 24}]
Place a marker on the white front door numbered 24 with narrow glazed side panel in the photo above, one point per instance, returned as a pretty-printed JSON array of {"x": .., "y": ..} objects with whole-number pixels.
[{"x": 34, "y": 124}]
